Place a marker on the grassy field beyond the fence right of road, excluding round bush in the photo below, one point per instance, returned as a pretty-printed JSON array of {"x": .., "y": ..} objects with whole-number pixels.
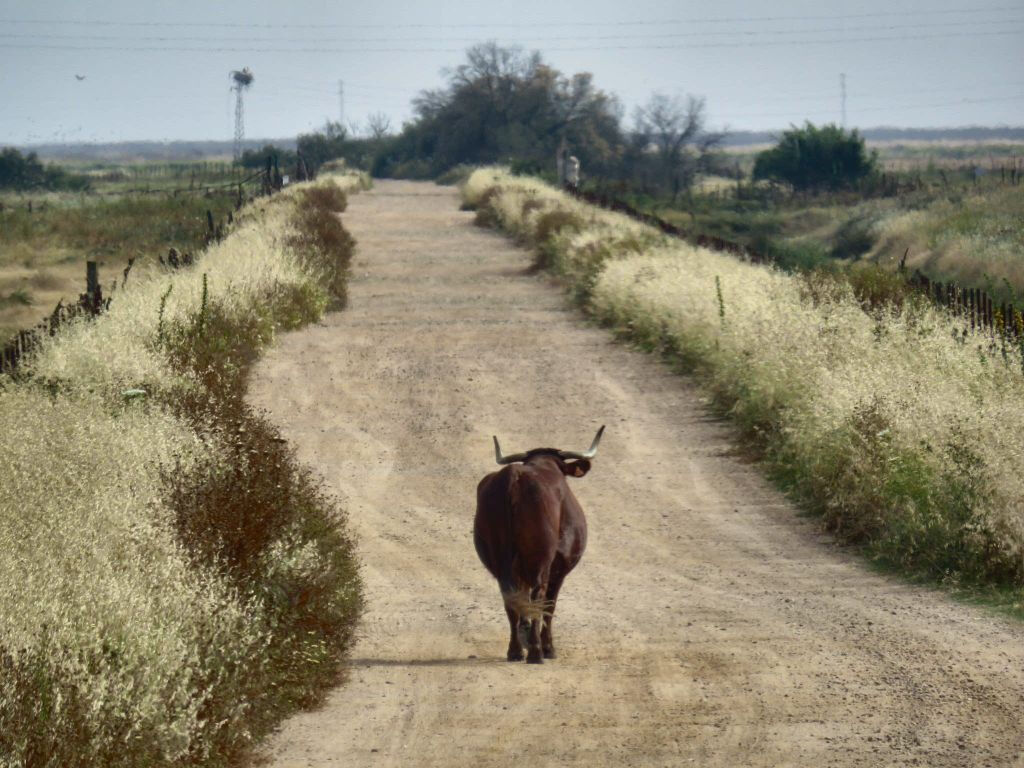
[{"x": 954, "y": 209}]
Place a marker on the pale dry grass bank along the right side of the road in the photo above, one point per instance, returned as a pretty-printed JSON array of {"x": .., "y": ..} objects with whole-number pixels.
[{"x": 898, "y": 424}]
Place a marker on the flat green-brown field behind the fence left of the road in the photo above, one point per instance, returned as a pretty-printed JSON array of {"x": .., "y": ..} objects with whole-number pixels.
[{"x": 44, "y": 251}]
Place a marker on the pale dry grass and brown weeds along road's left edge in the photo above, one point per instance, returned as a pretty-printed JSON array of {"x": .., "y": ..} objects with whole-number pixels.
[{"x": 172, "y": 581}]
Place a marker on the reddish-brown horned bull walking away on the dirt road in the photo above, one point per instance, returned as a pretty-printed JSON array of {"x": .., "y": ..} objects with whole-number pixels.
[{"x": 530, "y": 533}]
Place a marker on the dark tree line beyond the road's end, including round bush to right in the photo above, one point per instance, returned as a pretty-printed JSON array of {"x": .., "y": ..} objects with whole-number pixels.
[{"x": 503, "y": 106}]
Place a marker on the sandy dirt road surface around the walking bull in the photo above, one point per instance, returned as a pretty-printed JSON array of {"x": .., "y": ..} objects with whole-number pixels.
[{"x": 707, "y": 625}]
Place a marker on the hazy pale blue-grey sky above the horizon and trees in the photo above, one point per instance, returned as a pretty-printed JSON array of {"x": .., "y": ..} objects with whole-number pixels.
[{"x": 160, "y": 70}]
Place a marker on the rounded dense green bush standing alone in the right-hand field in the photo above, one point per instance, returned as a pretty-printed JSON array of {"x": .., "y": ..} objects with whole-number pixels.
[{"x": 817, "y": 158}]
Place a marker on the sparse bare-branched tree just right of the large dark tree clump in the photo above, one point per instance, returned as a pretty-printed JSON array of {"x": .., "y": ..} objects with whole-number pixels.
[{"x": 676, "y": 131}]
